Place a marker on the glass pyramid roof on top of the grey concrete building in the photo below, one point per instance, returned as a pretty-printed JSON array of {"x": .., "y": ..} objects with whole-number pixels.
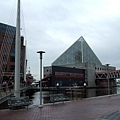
[{"x": 79, "y": 52}]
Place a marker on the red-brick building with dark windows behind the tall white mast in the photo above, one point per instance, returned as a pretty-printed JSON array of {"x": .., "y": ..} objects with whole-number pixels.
[{"x": 7, "y": 52}]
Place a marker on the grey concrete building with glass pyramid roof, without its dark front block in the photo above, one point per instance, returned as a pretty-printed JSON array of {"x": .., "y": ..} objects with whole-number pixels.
[{"x": 79, "y": 56}]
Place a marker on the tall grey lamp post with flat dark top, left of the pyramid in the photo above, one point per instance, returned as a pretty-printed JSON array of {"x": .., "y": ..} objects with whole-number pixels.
[{"x": 40, "y": 52}]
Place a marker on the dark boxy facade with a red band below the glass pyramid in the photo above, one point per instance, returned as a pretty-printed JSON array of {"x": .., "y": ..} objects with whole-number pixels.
[{"x": 67, "y": 76}]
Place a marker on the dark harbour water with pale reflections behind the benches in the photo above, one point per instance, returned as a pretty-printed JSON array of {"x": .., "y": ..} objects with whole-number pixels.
[{"x": 72, "y": 95}]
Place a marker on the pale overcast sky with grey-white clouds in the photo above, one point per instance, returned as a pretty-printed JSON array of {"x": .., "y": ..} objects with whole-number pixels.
[{"x": 54, "y": 25}]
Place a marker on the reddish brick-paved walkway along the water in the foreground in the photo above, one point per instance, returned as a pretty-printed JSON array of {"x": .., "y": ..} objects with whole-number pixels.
[{"x": 100, "y": 108}]
